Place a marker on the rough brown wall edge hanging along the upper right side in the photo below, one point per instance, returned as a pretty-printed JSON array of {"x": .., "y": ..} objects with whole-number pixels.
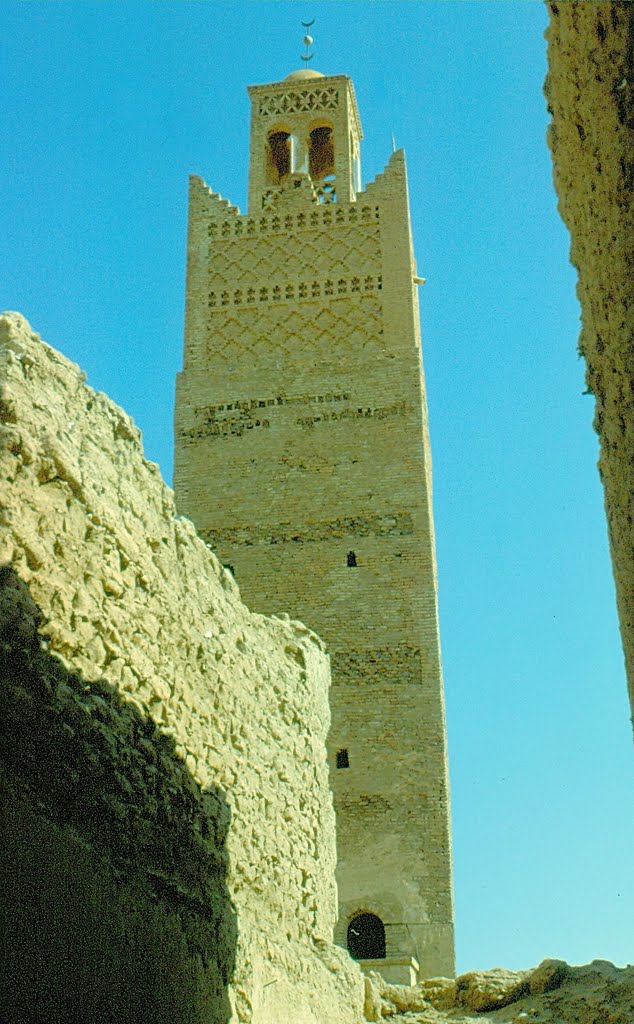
[{"x": 590, "y": 92}]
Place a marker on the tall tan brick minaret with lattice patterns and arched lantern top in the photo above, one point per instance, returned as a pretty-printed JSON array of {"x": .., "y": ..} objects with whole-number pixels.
[{"x": 303, "y": 456}]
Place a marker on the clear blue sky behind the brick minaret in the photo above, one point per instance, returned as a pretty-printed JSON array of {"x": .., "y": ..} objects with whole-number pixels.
[{"x": 106, "y": 110}]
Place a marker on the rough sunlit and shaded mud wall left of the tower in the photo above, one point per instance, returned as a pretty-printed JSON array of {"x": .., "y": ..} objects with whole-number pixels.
[{"x": 168, "y": 827}]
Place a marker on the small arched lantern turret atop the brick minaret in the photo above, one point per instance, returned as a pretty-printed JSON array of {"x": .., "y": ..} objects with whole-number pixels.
[{"x": 305, "y": 131}]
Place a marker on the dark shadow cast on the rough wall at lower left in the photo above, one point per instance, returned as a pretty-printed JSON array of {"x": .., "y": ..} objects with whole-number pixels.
[{"x": 114, "y": 905}]
